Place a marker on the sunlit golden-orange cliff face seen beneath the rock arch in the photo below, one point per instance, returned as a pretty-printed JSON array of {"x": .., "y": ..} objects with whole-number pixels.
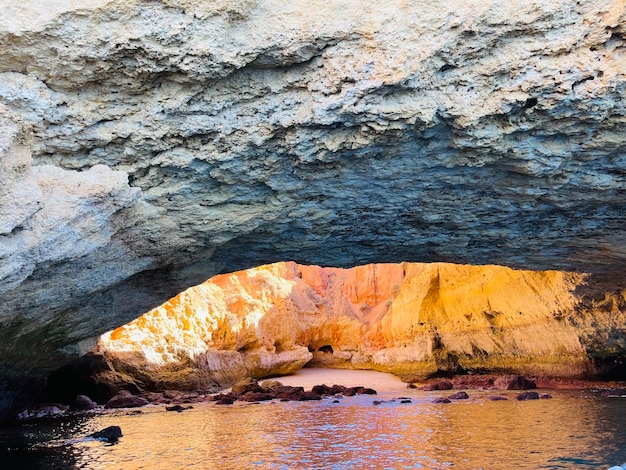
[{"x": 410, "y": 319}]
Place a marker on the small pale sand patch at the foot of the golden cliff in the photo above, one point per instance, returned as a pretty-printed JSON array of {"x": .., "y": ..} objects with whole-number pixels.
[{"x": 308, "y": 377}]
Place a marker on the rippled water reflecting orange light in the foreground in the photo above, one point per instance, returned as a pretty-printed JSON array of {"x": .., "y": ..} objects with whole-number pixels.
[{"x": 566, "y": 432}]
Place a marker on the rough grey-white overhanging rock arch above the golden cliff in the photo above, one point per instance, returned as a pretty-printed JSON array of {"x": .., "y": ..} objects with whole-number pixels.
[{"x": 175, "y": 139}]
